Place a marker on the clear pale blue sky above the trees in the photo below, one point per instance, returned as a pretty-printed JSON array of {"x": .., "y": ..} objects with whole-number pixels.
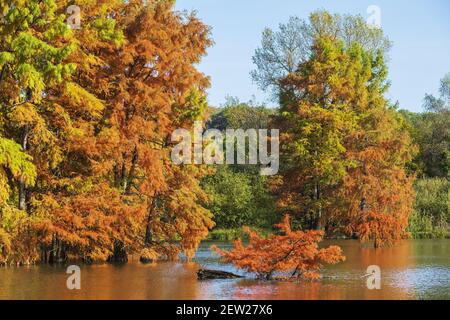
[{"x": 419, "y": 29}]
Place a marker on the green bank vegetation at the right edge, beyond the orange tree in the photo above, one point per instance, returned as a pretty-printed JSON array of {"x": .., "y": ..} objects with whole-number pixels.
[{"x": 430, "y": 131}]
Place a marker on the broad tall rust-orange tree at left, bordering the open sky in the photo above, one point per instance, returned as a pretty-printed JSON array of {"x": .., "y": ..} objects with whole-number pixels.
[{"x": 137, "y": 60}]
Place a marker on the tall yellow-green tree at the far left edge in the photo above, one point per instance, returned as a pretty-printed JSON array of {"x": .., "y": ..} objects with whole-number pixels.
[{"x": 35, "y": 45}]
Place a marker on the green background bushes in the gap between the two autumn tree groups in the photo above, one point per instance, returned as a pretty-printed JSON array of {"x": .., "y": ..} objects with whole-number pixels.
[{"x": 240, "y": 195}]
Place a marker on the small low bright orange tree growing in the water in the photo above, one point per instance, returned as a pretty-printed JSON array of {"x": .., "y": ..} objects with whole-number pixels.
[{"x": 294, "y": 252}]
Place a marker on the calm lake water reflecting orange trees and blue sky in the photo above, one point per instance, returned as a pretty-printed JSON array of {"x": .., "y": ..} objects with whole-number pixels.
[{"x": 412, "y": 270}]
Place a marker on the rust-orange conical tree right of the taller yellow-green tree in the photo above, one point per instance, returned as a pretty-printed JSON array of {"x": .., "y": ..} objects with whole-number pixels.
[{"x": 377, "y": 195}]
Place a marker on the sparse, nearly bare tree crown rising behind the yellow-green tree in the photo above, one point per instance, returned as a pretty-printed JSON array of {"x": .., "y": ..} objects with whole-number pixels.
[{"x": 283, "y": 50}]
